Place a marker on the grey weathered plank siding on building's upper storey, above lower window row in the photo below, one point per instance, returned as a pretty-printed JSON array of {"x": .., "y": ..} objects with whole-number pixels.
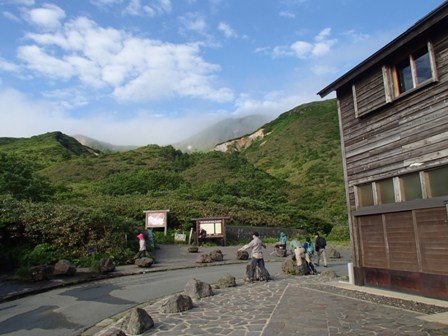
[{"x": 413, "y": 128}]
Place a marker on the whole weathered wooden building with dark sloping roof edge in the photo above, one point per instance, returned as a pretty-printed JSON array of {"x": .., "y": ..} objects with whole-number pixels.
[{"x": 393, "y": 114}]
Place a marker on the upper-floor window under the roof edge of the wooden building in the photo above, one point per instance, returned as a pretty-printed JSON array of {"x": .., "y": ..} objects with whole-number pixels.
[{"x": 414, "y": 71}]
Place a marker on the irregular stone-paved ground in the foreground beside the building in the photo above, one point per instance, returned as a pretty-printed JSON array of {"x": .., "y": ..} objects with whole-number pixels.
[{"x": 289, "y": 306}]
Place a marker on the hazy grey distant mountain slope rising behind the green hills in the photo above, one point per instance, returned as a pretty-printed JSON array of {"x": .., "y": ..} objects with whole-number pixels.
[{"x": 221, "y": 131}]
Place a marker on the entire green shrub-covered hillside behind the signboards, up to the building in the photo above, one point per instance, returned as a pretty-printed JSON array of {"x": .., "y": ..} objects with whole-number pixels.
[{"x": 60, "y": 196}]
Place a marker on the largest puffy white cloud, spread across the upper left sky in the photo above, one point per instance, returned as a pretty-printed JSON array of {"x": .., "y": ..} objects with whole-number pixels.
[{"x": 134, "y": 69}]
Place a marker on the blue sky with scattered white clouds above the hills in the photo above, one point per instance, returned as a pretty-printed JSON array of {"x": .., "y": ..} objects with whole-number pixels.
[{"x": 138, "y": 72}]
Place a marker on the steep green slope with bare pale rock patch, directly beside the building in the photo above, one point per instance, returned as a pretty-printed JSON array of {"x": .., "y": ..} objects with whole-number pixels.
[{"x": 302, "y": 147}]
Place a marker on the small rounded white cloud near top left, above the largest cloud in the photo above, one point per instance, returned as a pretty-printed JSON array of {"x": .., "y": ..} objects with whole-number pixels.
[{"x": 48, "y": 17}]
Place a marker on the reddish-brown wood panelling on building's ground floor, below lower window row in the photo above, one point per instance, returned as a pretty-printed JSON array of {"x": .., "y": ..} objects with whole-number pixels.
[{"x": 402, "y": 250}]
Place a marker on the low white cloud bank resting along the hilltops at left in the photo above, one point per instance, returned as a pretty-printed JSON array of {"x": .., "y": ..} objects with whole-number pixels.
[{"x": 25, "y": 119}]
